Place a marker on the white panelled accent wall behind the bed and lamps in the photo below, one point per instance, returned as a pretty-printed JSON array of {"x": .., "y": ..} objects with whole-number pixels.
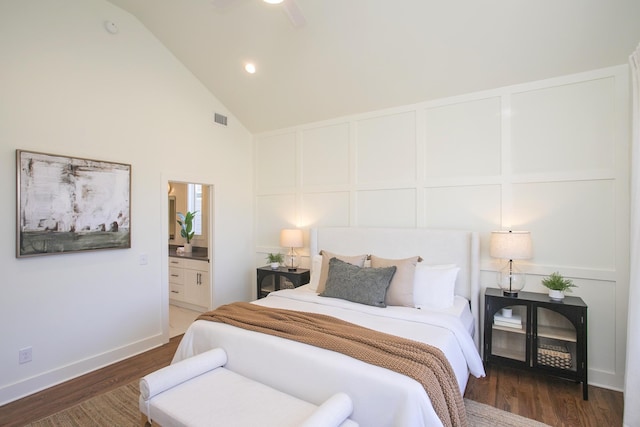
[{"x": 550, "y": 157}]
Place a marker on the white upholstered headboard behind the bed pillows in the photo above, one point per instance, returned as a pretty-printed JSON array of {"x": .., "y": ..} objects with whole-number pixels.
[{"x": 434, "y": 246}]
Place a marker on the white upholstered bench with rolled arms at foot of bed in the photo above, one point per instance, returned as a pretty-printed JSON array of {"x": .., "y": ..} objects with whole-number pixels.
[{"x": 199, "y": 392}]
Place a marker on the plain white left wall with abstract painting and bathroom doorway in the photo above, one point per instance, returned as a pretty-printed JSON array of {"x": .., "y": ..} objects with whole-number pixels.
[{"x": 69, "y": 87}]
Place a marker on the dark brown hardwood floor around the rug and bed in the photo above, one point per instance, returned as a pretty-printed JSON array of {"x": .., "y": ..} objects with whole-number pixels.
[{"x": 552, "y": 401}]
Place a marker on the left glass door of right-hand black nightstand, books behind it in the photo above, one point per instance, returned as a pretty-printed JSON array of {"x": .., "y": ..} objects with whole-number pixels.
[{"x": 509, "y": 333}]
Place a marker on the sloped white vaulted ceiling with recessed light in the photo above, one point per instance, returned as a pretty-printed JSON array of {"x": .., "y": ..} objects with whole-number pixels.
[{"x": 353, "y": 56}]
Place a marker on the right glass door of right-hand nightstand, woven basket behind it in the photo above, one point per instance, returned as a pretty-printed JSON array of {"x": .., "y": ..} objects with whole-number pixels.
[{"x": 555, "y": 341}]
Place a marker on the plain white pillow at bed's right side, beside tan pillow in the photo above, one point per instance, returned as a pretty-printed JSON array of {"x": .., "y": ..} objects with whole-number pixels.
[{"x": 434, "y": 286}]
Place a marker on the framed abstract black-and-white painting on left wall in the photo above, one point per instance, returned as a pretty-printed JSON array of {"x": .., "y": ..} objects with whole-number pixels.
[{"x": 70, "y": 204}]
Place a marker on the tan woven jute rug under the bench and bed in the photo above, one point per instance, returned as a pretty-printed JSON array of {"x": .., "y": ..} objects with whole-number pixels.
[{"x": 119, "y": 408}]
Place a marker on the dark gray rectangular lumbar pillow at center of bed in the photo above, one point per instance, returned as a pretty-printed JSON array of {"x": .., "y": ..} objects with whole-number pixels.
[{"x": 356, "y": 284}]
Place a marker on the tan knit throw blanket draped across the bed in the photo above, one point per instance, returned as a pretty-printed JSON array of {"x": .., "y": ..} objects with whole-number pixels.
[{"x": 422, "y": 362}]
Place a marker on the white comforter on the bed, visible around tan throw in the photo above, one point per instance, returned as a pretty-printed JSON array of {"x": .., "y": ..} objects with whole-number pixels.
[{"x": 380, "y": 397}]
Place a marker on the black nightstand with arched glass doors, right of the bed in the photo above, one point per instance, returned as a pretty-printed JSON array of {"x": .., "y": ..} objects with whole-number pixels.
[{"x": 542, "y": 335}]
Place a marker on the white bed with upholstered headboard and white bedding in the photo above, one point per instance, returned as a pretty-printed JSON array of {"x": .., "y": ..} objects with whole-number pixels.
[{"x": 381, "y": 397}]
